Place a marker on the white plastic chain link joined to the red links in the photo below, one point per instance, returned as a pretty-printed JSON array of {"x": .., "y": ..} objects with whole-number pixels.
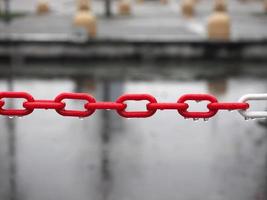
[{"x": 253, "y": 114}]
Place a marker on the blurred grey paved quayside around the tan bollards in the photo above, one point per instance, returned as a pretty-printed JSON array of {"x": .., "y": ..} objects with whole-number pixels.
[{"x": 150, "y": 20}]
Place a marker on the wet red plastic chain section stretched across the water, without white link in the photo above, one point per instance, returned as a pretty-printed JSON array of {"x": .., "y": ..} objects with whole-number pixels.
[{"x": 120, "y": 105}]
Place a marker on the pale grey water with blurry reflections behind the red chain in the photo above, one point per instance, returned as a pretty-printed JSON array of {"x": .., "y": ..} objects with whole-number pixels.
[{"x": 162, "y": 157}]
